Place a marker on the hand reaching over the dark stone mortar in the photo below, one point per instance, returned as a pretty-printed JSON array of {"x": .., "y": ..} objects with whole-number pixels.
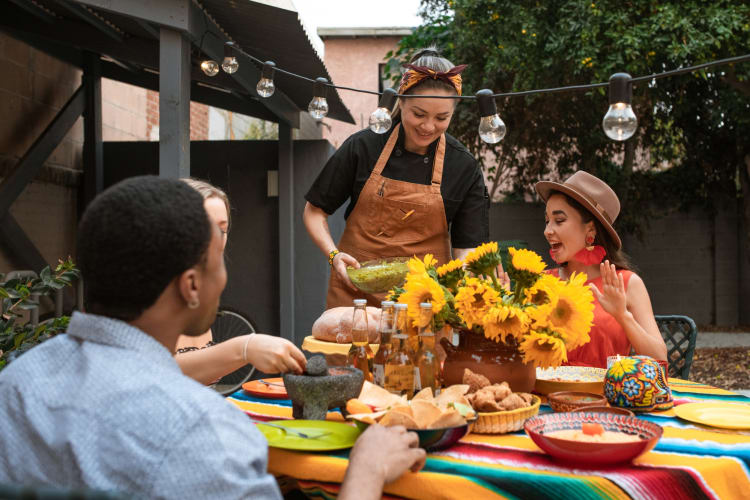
[{"x": 271, "y": 354}]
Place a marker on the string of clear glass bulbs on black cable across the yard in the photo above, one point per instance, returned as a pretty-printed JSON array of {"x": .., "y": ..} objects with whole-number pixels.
[{"x": 619, "y": 123}]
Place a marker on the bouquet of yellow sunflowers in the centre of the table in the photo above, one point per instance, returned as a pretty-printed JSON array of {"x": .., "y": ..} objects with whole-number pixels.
[{"x": 542, "y": 315}]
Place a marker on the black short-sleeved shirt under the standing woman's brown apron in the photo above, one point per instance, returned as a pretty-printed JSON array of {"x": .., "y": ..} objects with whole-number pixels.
[{"x": 464, "y": 194}]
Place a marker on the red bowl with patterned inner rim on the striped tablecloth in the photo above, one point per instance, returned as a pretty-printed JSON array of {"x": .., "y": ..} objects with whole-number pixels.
[{"x": 592, "y": 453}]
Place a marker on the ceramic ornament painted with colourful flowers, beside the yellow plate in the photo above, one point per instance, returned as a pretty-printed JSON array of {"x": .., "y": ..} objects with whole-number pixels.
[{"x": 637, "y": 383}]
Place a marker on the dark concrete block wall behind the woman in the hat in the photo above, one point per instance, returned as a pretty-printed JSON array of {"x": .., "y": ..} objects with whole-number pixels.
[{"x": 693, "y": 263}]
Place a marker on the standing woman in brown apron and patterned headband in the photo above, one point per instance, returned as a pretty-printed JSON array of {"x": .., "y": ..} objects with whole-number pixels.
[{"x": 413, "y": 191}]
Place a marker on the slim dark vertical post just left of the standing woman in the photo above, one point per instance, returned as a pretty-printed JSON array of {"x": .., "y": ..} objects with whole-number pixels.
[{"x": 286, "y": 232}]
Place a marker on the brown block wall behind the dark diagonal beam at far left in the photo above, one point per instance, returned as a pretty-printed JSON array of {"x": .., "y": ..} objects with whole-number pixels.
[{"x": 33, "y": 88}]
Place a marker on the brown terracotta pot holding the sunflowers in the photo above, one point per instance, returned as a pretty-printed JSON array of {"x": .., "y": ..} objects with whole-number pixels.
[{"x": 497, "y": 361}]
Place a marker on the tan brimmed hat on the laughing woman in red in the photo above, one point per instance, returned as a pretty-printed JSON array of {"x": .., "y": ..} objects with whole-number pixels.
[{"x": 591, "y": 192}]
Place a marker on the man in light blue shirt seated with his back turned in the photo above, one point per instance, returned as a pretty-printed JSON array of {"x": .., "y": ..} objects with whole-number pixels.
[{"x": 106, "y": 406}]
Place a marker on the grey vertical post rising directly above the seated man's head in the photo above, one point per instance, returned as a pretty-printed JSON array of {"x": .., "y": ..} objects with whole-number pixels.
[{"x": 174, "y": 104}]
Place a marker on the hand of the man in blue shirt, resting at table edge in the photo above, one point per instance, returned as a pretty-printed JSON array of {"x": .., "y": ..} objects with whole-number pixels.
[{"x": 380, "y": 456}]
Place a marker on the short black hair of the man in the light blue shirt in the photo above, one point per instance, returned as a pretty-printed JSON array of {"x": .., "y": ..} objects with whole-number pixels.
[{"x": 134, "y": 239}]
